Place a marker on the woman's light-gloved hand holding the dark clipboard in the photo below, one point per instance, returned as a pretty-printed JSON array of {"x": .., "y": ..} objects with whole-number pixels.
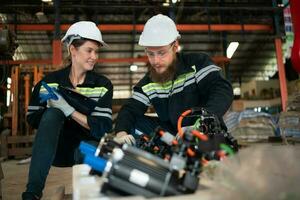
[{"x": 61, "y": 104}]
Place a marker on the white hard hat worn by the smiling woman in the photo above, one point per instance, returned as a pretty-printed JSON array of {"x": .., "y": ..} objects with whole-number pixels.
[{"x": 85, "y": 30}]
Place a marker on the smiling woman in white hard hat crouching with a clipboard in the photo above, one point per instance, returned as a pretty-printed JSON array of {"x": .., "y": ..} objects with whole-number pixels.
[{"x": 60, "y": 125}]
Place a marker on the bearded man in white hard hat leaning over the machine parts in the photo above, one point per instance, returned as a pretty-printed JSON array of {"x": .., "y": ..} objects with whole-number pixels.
[{"x": 175, "y": 83}]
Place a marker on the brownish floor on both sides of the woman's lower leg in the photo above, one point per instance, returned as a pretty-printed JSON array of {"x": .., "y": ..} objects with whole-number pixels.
[{"x": 15, "y": 179}]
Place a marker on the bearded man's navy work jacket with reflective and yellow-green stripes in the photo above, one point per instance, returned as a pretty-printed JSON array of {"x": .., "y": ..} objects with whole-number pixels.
[{"x": 197, "y": 83}]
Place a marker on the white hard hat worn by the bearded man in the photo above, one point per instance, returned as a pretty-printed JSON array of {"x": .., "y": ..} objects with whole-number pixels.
[{"x": 159, "y": 30}]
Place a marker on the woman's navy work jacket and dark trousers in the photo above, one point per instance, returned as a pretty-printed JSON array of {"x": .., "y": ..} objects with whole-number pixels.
[{"x": 58, "y": 136}]
